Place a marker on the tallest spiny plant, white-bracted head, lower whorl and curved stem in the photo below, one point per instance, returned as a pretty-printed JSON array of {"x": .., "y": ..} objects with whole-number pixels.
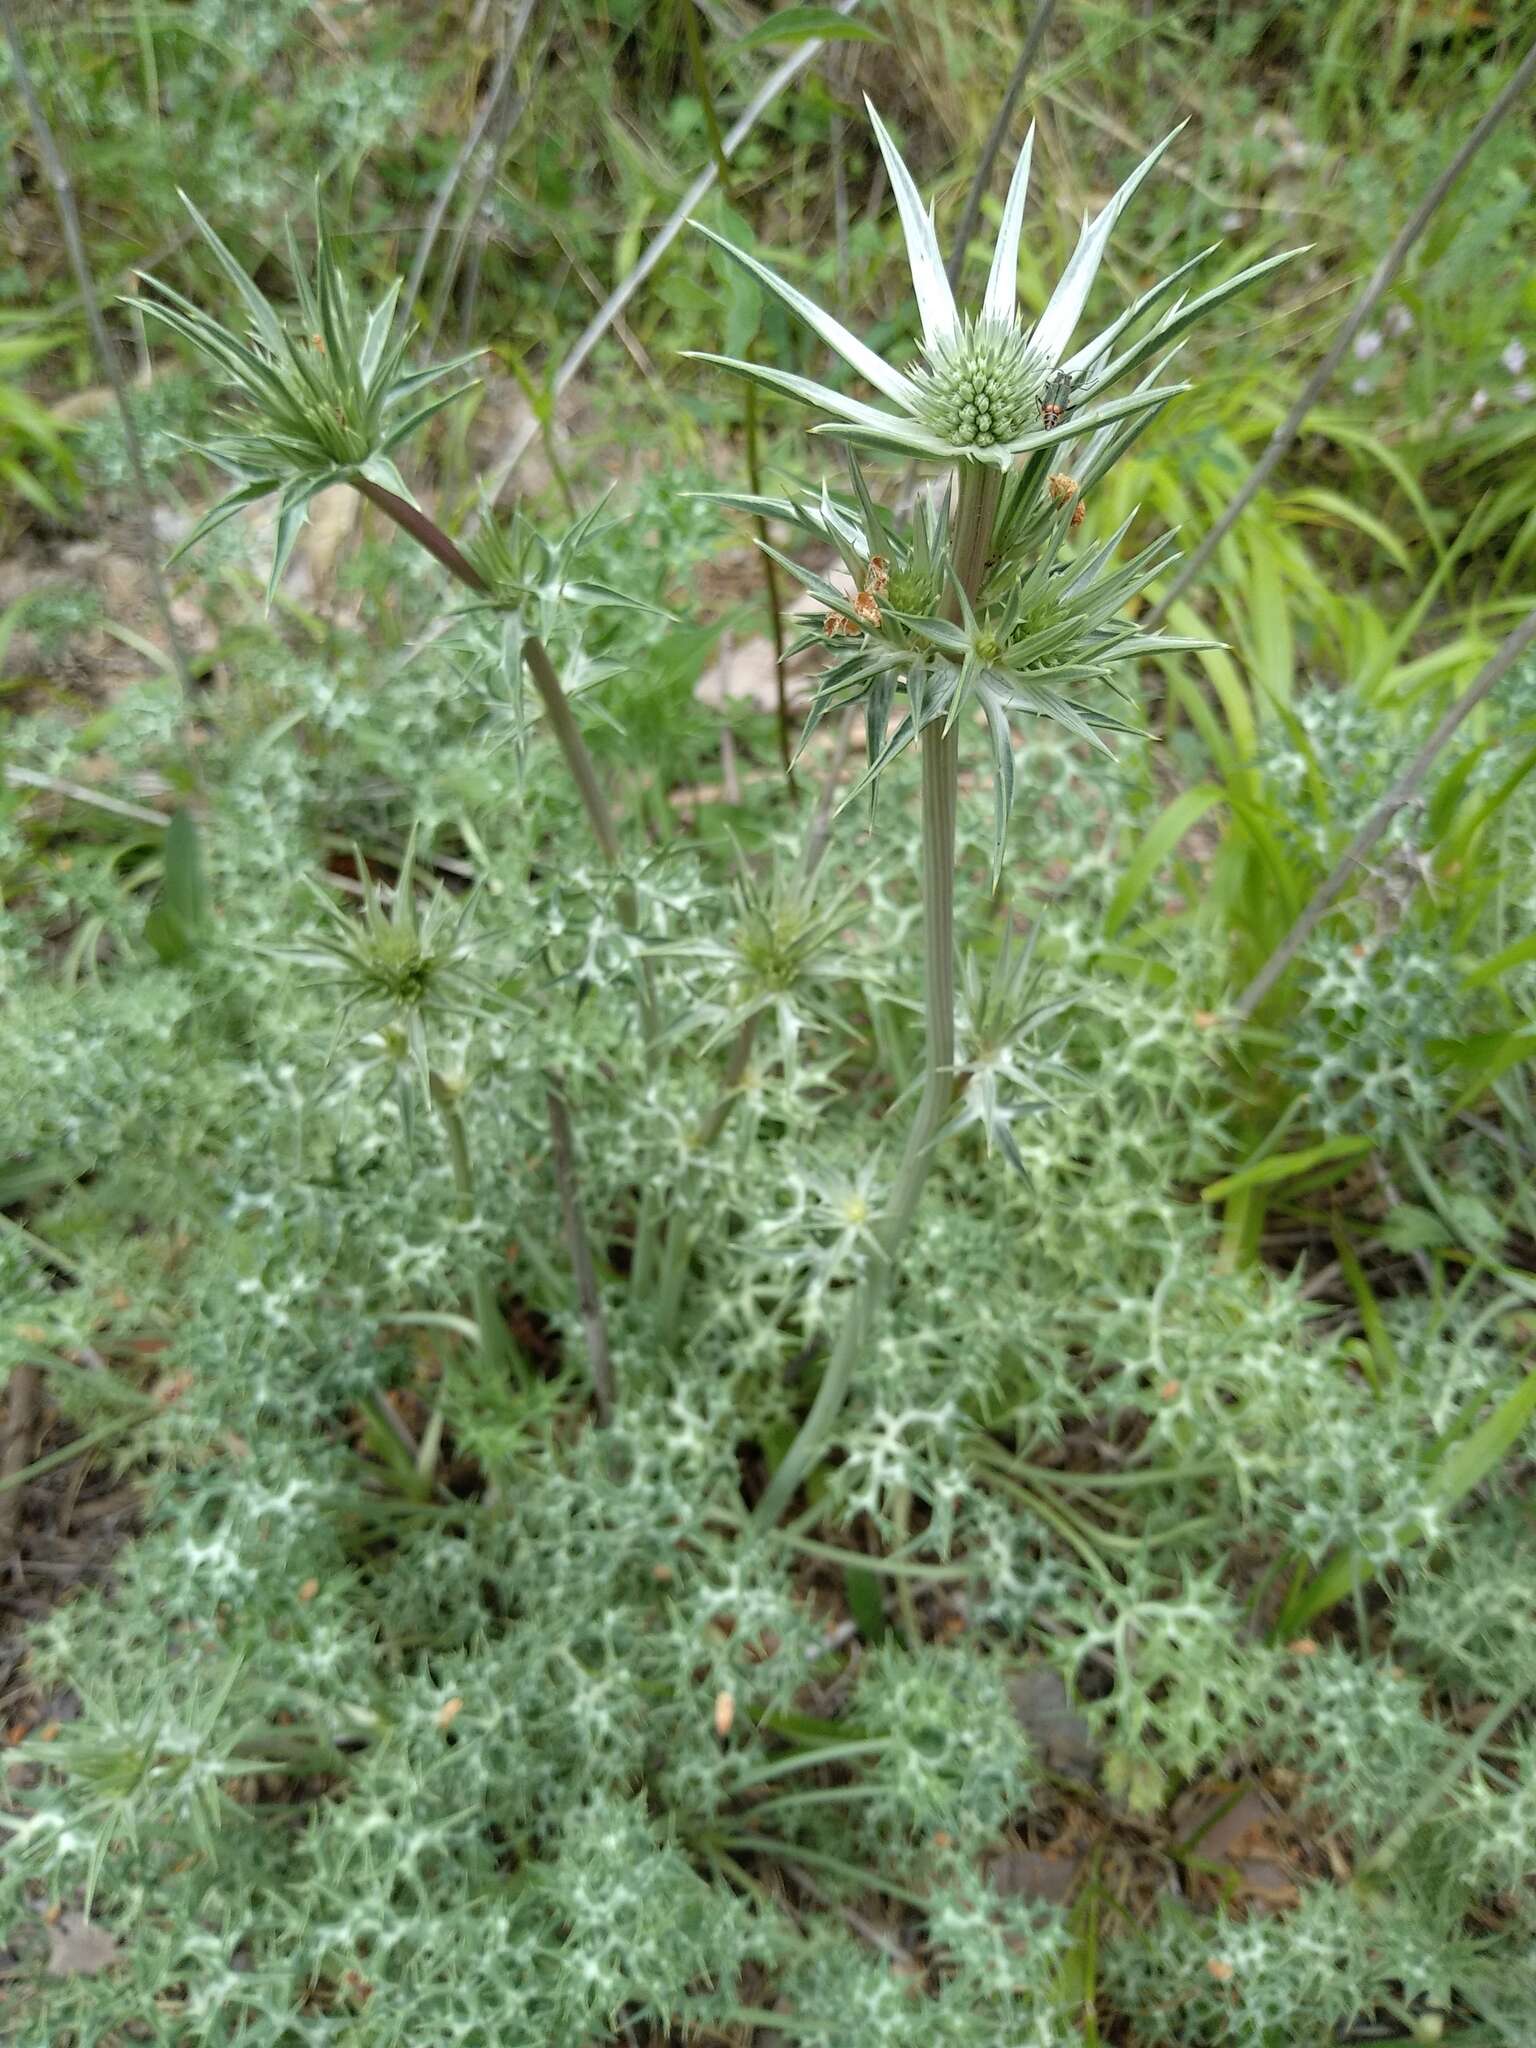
[{"x": 984, "y": 601}]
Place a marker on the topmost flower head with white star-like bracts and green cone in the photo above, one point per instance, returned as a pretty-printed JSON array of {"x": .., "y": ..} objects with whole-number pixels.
[{"x": 988, "y": 386}]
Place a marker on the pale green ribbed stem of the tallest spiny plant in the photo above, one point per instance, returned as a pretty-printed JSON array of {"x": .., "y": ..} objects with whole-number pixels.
[{"x": 976, "y": 509}]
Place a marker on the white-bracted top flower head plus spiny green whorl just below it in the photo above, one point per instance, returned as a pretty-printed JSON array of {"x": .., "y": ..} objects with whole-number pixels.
[{"x": 1039, "y": 624}]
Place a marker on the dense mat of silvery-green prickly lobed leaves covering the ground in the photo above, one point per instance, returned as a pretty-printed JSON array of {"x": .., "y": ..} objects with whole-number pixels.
[{"x": 364, "y": 1764}]
